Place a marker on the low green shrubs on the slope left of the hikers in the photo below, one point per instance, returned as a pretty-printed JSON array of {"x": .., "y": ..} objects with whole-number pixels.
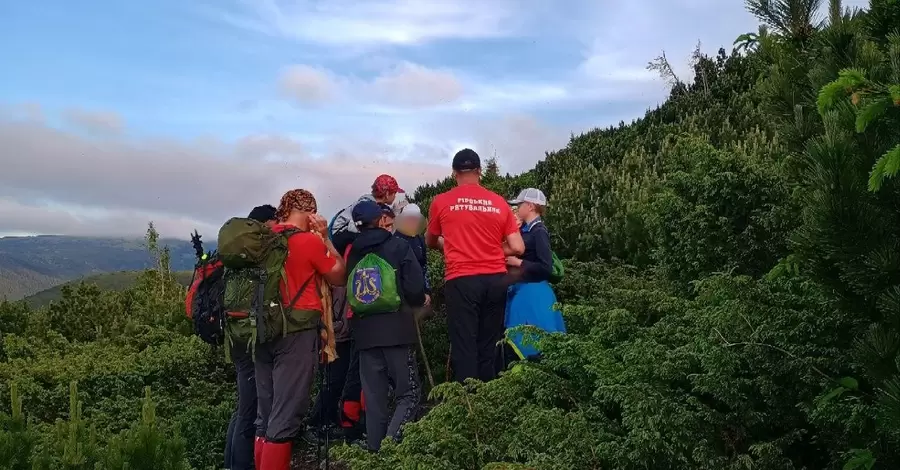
[{"x": 81, "y": 370}]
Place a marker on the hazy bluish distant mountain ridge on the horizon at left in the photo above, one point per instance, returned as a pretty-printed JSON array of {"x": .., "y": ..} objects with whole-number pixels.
[{"x": 32, "y": 264}]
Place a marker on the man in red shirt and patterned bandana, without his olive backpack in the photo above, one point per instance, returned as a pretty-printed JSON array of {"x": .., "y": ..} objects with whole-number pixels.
[{"x": 286, "y": 364}]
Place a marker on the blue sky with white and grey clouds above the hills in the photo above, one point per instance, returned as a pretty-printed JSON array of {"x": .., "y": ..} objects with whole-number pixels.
[{"x": 110, "y": 111}]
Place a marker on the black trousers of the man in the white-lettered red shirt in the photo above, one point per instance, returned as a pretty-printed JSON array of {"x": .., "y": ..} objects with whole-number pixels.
[{"x": 476, "y": 306}]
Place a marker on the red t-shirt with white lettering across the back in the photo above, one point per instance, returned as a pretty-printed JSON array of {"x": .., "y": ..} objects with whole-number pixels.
[{"x": 474, "y": 222}]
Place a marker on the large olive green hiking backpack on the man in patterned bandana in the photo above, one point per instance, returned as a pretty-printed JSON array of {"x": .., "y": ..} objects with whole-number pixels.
[{"x": 253, "y": 256}]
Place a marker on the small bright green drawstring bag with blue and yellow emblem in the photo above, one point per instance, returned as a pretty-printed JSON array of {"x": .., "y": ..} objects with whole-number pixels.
[{"x": 372, "y": 287}]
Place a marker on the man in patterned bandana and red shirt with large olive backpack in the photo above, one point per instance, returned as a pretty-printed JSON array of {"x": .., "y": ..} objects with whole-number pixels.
[{"x": 277, "y": 278}]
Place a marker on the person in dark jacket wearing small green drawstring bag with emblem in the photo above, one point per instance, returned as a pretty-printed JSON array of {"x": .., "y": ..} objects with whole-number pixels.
[{"x": 384, "y": 284}]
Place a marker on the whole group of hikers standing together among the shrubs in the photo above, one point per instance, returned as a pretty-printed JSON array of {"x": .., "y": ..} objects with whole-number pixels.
[{"x": 289, "y": 294}]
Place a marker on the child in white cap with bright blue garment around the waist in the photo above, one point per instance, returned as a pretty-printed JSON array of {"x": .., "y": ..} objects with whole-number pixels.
[{"x": 530, "y": 300}]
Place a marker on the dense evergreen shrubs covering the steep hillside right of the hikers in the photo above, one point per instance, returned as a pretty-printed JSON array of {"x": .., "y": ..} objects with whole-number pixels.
[{"x": 749, "y": 313}]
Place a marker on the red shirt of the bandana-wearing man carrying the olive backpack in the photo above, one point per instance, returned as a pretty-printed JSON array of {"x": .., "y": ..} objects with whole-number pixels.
[{"x": 307, "y": 257}]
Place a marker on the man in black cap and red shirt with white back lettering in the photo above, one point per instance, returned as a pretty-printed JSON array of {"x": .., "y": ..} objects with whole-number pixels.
[{"x": 476, "y": 230}]
